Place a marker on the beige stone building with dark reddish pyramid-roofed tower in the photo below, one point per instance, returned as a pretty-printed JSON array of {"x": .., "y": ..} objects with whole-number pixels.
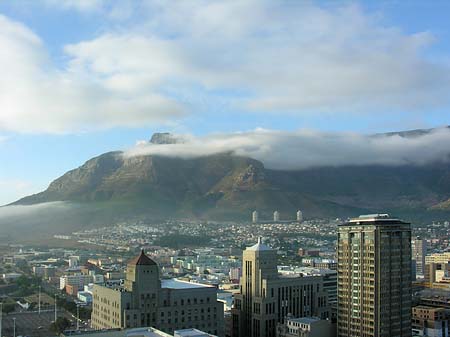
[{"x": 146, "y": 300}]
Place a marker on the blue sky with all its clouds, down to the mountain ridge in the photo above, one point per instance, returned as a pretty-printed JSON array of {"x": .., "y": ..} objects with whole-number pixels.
[{"x": 83, "y": 77}]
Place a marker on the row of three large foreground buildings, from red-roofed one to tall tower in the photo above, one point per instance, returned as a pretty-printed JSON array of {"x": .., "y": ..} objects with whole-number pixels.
[{"x": 369, "y": 293}]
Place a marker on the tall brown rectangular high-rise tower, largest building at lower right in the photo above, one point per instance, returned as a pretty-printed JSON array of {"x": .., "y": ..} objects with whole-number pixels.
[{"x": 374, "y": 277}]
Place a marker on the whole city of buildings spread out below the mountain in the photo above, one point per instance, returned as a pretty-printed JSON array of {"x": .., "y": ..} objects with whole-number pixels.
[{"x": 370, "y": 278}]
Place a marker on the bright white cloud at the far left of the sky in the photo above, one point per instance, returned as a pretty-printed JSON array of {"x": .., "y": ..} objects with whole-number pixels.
[{"x": 37, "y": 97}]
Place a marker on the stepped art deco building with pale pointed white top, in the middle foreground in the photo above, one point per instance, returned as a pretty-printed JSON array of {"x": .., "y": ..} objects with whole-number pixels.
[{"x": 265, "y": 298}]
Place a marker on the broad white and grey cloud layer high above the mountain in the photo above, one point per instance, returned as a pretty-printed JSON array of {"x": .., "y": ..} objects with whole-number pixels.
[{"x": 283, "y": 57}]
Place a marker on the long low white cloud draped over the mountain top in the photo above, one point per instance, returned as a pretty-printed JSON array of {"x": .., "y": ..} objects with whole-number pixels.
[{"x": 306, "y": 148}]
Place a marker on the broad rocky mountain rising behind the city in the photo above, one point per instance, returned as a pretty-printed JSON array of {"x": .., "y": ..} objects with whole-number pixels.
[{"x": 114, "y": 187}]
